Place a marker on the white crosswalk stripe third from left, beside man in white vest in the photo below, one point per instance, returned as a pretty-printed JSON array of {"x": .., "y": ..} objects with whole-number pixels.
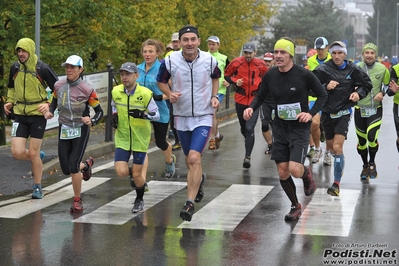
[{"x": 227, "y": 210}]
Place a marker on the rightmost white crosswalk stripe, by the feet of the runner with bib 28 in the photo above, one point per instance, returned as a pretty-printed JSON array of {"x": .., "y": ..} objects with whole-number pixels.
[{"x": 328, "y": 216}]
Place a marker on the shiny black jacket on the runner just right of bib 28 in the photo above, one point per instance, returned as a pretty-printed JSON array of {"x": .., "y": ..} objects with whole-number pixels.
[{"x": 351, "y": 79}]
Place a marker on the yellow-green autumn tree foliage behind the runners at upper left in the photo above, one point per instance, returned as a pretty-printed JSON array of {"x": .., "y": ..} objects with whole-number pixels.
[{"x": 113, "y": 30}]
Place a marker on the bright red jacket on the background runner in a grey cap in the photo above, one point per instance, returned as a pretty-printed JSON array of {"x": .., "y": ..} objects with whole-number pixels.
[{"x": 251, "y": 73}]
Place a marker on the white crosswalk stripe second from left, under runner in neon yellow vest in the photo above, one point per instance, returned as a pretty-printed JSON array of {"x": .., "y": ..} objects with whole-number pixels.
[{"x": 119, "y": 211}]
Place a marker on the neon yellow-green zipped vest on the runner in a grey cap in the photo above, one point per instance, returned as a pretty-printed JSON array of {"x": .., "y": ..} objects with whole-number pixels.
[{"x": 132, "y": 134}]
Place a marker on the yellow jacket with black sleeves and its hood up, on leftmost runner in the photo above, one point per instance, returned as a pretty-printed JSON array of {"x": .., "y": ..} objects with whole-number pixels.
[{"x": 25, "y": 90}]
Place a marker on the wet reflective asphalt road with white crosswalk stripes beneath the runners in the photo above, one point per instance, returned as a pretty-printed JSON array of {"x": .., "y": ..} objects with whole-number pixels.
[{"x": 239, "y": 222}]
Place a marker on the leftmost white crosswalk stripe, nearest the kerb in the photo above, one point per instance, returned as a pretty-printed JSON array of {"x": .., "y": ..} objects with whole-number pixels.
[{"x": 29, "y": 205}]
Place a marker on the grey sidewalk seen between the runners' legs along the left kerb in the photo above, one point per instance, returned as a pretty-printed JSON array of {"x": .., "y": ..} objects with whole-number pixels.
[{"x": 96, "y": 147}]
